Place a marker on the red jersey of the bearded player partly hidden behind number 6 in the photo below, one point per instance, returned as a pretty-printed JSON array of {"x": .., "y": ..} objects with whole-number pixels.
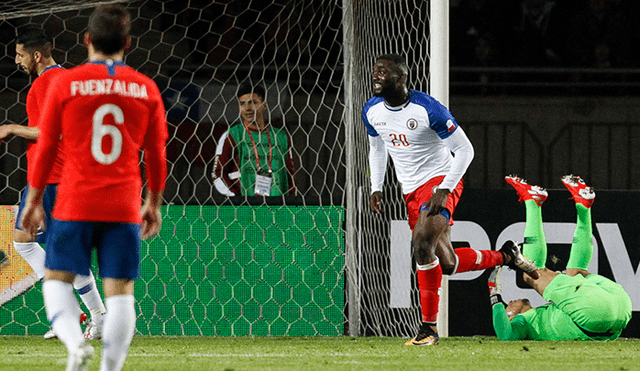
[{"x": 35, "y": 102}]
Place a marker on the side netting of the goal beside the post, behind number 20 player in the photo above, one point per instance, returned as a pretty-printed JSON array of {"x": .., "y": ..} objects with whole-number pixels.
[{"x": 404, "y": 29}]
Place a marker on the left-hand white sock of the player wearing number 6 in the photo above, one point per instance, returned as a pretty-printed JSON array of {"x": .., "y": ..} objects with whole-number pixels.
[{"x": 61, "y": 304}]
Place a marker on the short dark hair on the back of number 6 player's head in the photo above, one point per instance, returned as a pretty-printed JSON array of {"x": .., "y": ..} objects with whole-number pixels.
[{"x": 109, "y": 27}]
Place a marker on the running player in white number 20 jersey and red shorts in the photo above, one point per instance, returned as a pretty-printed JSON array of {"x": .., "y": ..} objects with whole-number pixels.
[{"x": 430, "y": 153}]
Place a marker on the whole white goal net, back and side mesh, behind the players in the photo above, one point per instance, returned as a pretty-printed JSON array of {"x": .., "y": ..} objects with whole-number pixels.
[{"x": 314, "y": 263}]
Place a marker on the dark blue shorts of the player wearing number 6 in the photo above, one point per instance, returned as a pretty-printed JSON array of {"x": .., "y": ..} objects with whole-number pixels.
[{"x": 70, "y": 245}]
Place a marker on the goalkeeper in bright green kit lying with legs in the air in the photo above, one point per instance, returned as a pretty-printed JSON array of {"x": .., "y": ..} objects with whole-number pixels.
[{"x": 581, "y": 306}]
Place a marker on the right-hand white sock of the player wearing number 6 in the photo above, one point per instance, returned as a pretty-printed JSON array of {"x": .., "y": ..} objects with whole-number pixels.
[{"x": 117, "y": 331}]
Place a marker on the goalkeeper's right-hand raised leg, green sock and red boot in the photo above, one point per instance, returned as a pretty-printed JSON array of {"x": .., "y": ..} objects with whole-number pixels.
[{"x": 582, "y": 245}]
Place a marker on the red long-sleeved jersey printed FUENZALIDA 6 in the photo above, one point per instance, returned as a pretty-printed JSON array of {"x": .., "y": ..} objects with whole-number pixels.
[{"x": 106, "y": 113}]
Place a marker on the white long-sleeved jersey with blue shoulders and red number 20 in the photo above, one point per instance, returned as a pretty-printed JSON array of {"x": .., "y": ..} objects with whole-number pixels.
[{"x": 420, "y": 136}]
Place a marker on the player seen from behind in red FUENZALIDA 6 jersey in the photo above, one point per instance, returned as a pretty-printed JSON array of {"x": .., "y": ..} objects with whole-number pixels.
[{"x": 106, "y": 114}]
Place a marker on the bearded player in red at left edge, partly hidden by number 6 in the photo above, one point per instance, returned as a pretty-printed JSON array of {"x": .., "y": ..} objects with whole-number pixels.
[{"x": 33, "y": 55}]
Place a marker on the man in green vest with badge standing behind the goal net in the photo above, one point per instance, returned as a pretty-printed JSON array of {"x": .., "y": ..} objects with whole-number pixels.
[{"x": 253, "y": 158}]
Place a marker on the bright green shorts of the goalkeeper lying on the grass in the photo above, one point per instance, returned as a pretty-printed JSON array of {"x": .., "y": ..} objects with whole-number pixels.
[{"x": 594, "y": 303}]
